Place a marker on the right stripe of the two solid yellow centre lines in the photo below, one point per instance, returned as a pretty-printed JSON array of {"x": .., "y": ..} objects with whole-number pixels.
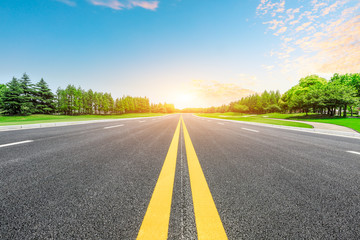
[{"x": 208, "y": 222}]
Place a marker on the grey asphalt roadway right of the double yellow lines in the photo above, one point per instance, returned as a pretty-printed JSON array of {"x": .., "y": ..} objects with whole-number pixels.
[{"x": 279, "y": 184}]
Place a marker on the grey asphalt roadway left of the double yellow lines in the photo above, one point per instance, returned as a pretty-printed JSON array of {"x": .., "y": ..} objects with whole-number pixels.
[{"x": 81, "y": 182}]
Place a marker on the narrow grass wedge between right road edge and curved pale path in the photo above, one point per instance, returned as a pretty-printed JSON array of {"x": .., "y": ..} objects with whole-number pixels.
[{"x": 253, "y": 118}]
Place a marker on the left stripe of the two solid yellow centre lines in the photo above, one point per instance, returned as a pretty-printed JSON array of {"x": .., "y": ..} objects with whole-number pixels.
[{"x": 155, "y": 224}]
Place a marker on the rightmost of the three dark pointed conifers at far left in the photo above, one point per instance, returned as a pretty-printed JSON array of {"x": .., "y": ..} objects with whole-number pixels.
[{"x": 45, "y": 99}]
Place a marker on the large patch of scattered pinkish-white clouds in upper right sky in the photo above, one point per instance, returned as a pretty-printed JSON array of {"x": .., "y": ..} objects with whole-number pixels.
[{"x": 319, "y": 36}]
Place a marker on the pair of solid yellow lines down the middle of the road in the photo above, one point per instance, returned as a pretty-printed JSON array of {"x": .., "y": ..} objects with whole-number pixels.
[{"x": 155, "y": 224}]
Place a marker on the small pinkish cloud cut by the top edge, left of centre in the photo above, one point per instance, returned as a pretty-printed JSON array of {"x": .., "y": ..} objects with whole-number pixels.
[{"x": 119, "y": 5}]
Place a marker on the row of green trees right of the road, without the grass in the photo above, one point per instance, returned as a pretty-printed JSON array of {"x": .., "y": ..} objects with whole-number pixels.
[{"x": 312, "y": 94}]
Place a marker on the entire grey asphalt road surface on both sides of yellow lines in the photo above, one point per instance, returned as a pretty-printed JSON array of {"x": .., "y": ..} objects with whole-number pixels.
[{"x": 95, "y": 182}]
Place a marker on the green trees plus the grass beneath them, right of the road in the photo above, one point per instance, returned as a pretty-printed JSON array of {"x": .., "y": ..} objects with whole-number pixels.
[{"x": 314, "y": 99}]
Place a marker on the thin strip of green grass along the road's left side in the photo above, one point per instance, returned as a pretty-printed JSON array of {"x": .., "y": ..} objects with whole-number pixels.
[{"x": 42, "y": 118}]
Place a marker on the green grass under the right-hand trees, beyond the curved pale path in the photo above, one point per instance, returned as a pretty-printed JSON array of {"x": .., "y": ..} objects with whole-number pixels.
[{"x": 353, "y": 123}]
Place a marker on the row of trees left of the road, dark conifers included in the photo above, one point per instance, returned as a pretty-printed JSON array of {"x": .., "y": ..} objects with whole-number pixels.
[{"x": 21, "y": 97}]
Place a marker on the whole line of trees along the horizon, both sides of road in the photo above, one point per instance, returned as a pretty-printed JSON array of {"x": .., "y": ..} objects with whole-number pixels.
[{"x": 338, "y": 96}]
